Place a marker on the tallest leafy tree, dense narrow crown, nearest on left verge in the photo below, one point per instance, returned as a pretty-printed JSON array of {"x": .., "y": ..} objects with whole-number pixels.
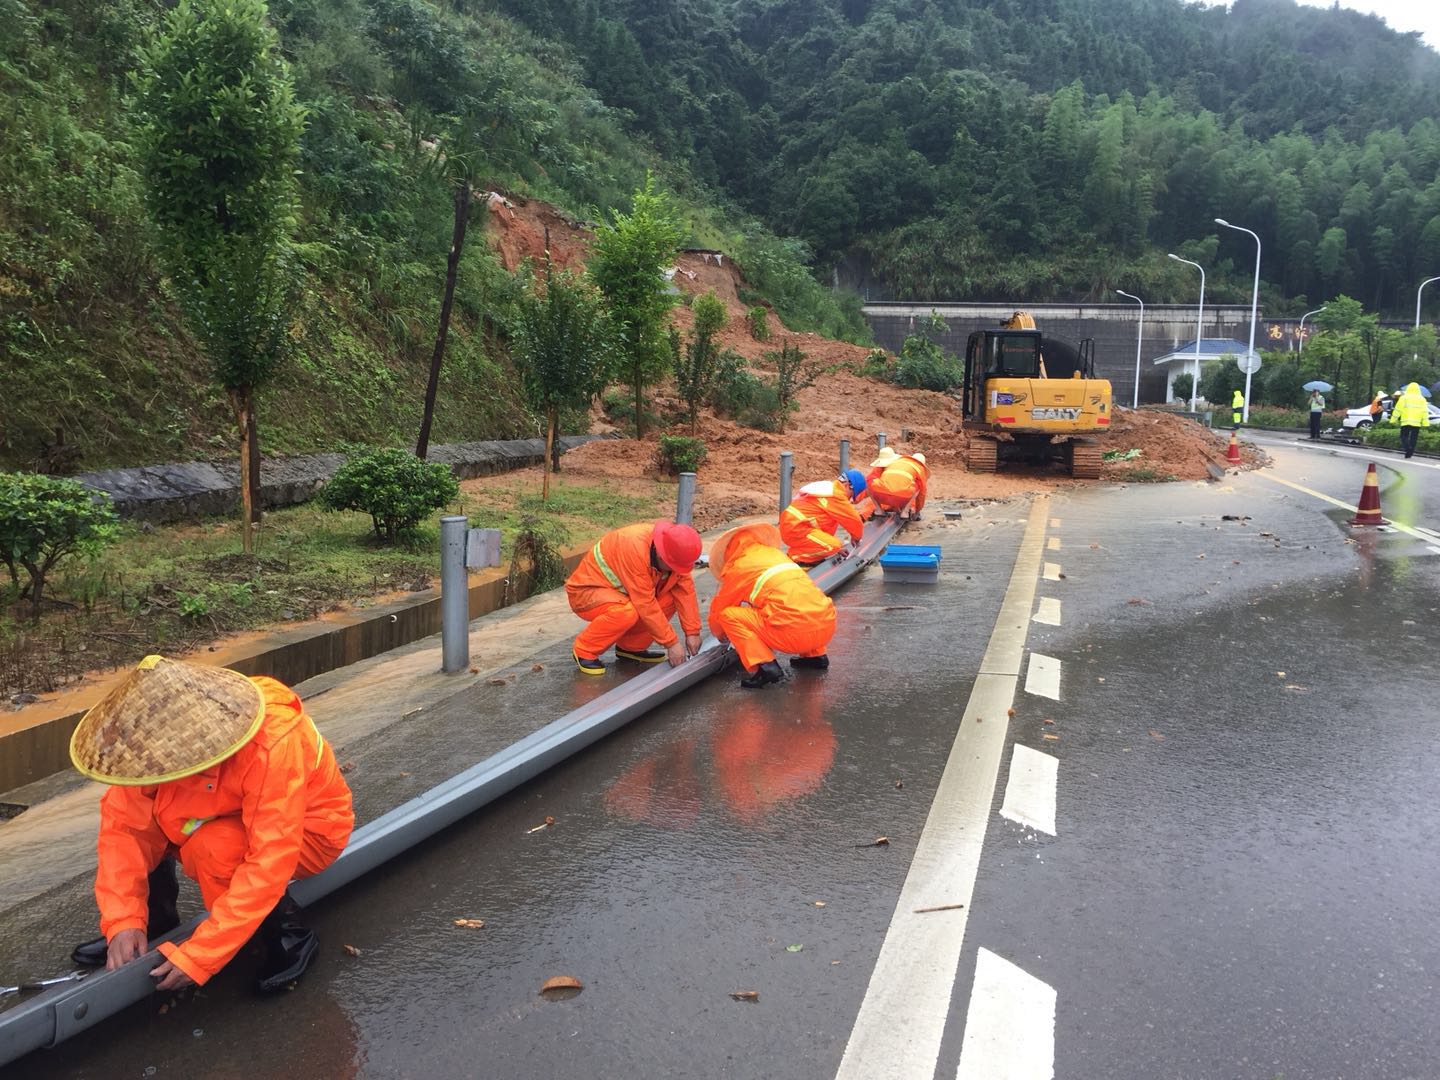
[{"x": 220, "y": 139}]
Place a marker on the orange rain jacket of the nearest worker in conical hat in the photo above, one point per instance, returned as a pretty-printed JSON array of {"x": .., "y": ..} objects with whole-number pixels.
[{"x": 287, "y": 793}]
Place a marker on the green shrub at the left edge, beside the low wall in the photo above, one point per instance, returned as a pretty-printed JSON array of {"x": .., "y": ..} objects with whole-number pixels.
[{"x": 45, "y": 521}]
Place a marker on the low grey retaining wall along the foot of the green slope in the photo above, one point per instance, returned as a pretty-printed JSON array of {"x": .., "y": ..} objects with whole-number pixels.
[{"x": 188, "y": 490}]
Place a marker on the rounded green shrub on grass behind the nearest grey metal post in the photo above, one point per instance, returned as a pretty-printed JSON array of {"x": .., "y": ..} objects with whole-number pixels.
[{"x": 394, "y": 487}]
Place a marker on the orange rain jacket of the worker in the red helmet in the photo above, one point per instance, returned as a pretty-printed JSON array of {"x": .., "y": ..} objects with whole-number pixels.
[{"x": 626, "y": 554}]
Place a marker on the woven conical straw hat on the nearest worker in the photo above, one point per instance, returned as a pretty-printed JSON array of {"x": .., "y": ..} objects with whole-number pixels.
[{"x": 165, "y": 722}]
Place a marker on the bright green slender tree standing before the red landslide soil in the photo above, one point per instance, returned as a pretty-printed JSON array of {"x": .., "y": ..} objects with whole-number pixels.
[{"x": 629, "y": 261}]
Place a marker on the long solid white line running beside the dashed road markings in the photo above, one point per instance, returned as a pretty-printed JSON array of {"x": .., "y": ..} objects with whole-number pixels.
[{"x": 902, "y": 1019}]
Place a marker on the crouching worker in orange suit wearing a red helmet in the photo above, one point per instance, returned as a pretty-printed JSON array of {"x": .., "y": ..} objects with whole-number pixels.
[{"x": 629, "y": 588}]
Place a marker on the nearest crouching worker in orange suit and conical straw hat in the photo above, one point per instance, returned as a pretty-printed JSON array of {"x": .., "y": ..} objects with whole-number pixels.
[{"x": 230, "y": 777}]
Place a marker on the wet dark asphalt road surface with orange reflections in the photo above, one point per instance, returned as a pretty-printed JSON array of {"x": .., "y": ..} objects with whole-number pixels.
[{"x": 1239, "y": 885}]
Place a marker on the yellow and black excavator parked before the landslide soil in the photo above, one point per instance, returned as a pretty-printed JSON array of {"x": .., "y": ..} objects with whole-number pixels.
[{"x": 1033, "y": 400}]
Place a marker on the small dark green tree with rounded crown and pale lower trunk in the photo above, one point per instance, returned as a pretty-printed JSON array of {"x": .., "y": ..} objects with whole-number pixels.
[{"x": 564, "y": 349}]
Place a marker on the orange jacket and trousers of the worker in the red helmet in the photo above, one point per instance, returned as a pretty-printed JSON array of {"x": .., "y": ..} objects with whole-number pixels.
[{"x": 626, "y": 600}]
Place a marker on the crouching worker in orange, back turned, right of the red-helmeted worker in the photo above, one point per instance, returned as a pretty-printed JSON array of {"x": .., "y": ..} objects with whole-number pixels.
[{"x": 767, "y": 603}]
